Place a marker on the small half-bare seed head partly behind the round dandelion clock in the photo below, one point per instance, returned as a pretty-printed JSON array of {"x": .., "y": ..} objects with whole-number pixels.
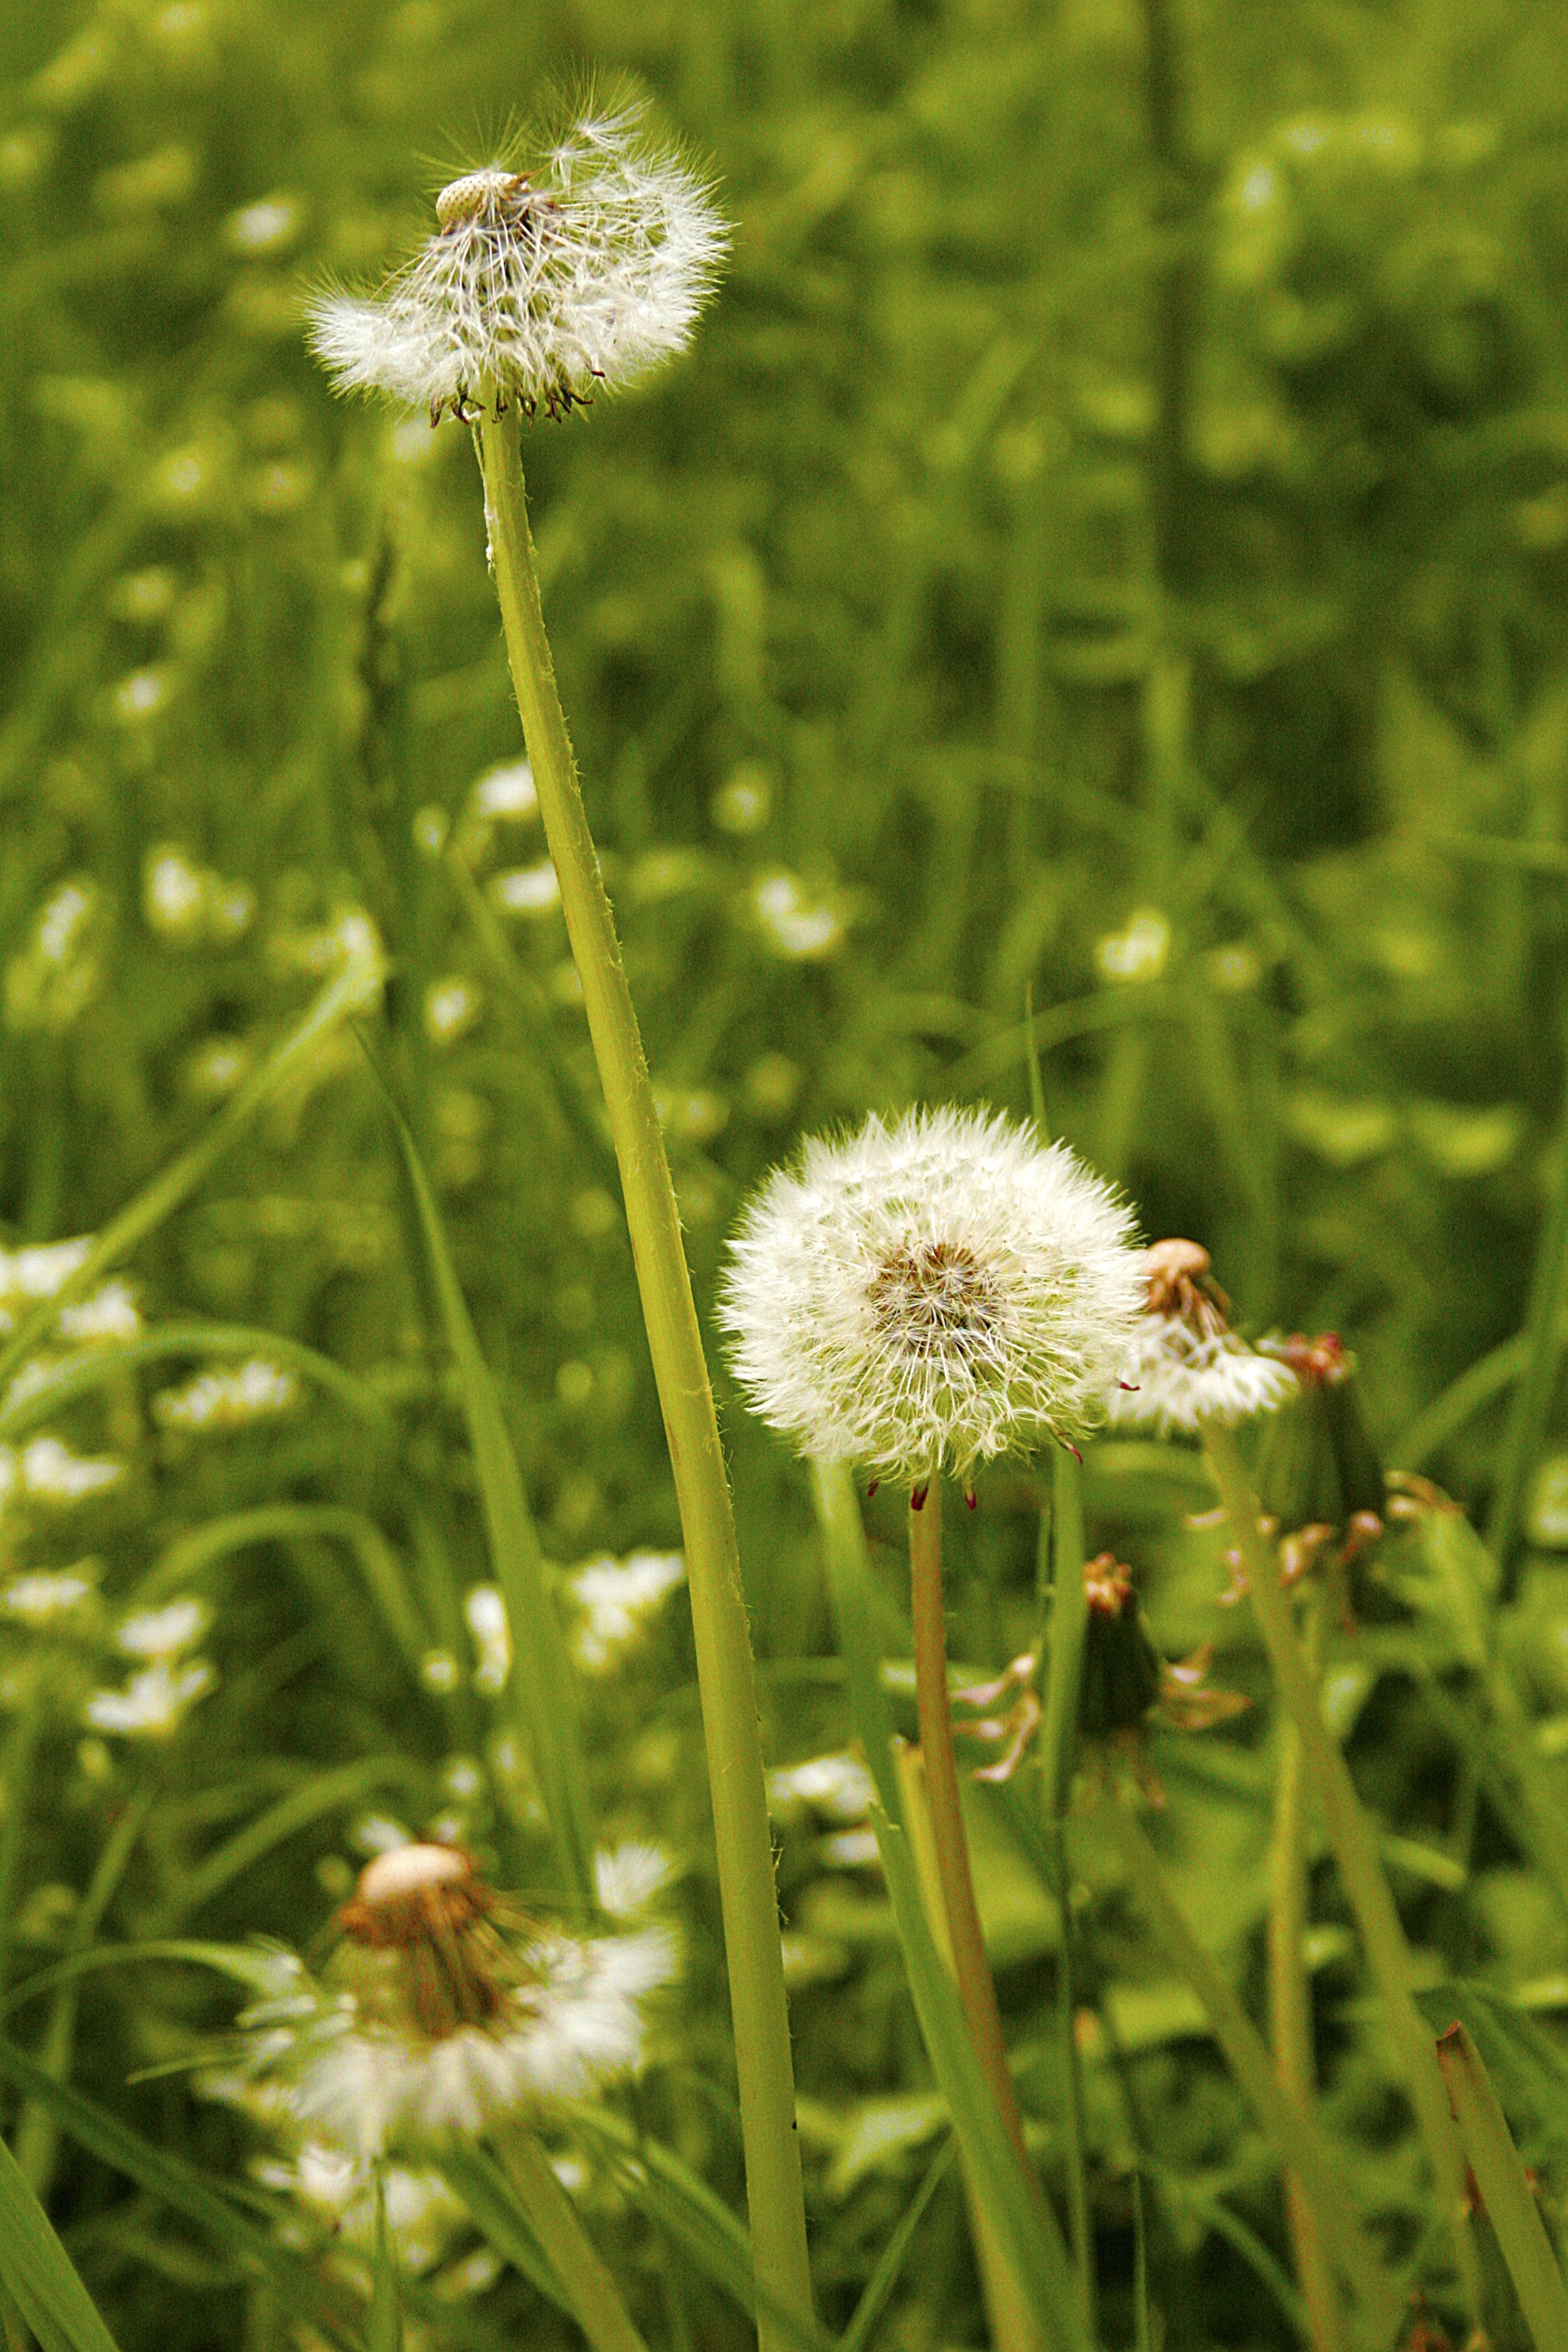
[{"x": 1186, "y": 1363}]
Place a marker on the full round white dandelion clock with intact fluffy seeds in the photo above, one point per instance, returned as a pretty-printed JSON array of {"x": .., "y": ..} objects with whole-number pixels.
[{"x": 925, "y": 1297}]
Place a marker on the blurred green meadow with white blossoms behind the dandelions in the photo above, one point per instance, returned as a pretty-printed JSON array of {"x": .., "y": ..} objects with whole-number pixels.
[{"x": 1108, "y": 547}]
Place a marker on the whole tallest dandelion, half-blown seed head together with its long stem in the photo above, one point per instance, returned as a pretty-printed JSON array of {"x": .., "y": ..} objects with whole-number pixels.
[{"x": 535, "y": 290}]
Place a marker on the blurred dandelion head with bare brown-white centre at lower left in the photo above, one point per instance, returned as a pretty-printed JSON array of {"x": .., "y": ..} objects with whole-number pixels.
[{"x": 445, "y": 2010}]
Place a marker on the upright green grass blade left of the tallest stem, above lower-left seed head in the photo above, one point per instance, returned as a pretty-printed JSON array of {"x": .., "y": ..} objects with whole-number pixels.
[{"x": 542, "y": 1669}]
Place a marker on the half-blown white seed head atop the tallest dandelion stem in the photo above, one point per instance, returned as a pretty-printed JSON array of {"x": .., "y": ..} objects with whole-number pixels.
[{"x": 537, "y": 288}]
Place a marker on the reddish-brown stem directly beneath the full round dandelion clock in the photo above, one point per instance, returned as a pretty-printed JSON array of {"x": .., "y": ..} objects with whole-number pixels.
[{"x": 970, "y": 1963}]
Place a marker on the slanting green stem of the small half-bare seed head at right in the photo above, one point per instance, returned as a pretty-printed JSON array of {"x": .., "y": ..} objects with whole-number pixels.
[{"x": 1355, "y": 1852}]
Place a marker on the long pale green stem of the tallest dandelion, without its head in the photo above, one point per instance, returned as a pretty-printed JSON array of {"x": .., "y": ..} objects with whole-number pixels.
[{"x": 713, "y": 1565}]
